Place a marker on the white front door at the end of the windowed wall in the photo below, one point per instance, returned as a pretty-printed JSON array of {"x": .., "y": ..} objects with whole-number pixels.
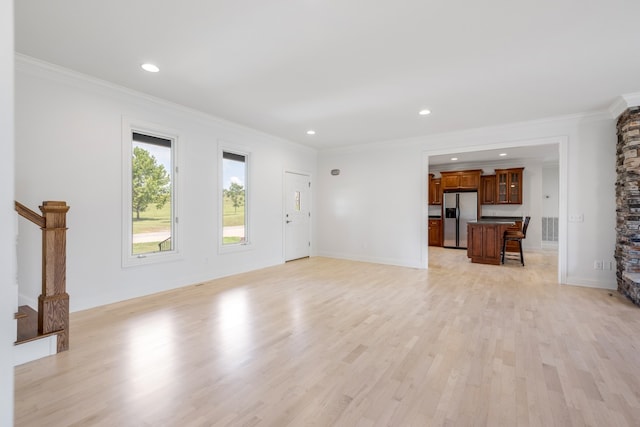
[{"x": 297, "y": 216}]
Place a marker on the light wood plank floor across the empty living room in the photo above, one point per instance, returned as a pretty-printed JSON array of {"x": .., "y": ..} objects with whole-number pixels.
[{"x": 328, "y": 342}]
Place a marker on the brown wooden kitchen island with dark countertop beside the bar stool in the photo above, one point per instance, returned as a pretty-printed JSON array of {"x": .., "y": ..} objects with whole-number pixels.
[{"x": 484, "y": 240}]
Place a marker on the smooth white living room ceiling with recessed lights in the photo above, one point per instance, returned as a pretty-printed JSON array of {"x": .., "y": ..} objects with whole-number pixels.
[{"x": 354, "y": 71}]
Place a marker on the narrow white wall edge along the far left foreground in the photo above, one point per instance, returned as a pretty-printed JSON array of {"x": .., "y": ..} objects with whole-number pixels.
[{"x": 8, "y": 293}]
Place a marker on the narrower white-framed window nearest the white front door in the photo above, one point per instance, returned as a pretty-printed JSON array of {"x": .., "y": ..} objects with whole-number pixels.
[{"x": 234, "y": 198}]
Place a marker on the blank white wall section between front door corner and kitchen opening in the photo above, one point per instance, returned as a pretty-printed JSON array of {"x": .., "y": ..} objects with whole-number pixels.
[{"x": 373, "y": 210}]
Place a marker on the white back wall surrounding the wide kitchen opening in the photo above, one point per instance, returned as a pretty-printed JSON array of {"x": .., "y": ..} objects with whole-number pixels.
[{"x": 354, "y": 212}]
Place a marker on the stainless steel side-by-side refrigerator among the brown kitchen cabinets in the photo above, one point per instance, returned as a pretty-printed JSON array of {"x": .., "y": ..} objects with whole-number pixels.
[{"x": 459, "y": 208}]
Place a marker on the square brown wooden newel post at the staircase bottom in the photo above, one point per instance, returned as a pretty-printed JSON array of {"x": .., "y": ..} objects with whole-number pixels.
[{"x": 53, "y": 303}]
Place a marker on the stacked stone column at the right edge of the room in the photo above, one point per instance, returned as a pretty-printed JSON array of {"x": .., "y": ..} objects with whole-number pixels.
[{"x": 628, "y": 204}]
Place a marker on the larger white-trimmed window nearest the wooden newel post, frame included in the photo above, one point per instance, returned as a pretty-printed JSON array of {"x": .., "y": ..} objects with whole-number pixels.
[{"x": 149, "y": 199}]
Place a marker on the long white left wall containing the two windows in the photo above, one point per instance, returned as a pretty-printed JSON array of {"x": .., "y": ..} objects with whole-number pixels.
[{"x": 68, "y": 147}]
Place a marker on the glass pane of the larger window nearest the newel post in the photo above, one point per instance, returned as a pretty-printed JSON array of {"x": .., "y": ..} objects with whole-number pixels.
[{"x": 151, "y": 194}]
